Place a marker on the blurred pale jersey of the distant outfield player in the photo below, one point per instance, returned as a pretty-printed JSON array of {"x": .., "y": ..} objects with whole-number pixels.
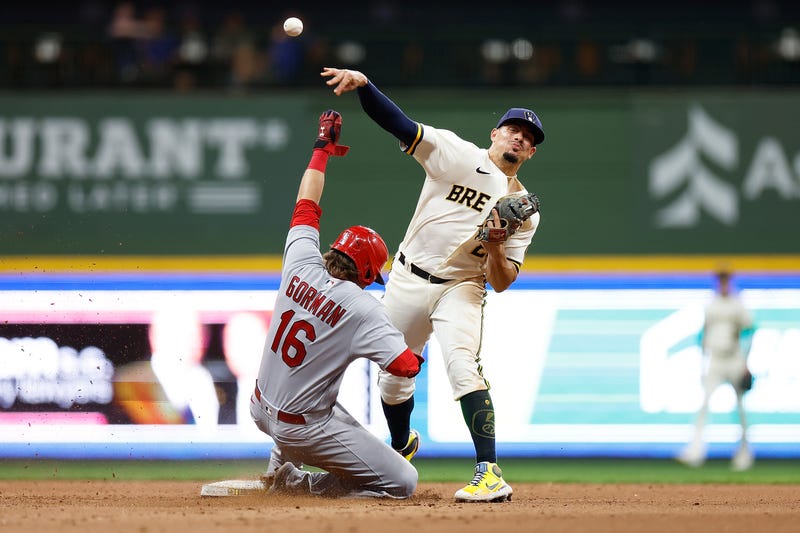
[{"x": 726, "y": 317}]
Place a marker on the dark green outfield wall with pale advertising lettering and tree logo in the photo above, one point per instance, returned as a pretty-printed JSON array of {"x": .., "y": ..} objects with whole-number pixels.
[{"x": 671, "y": 172}]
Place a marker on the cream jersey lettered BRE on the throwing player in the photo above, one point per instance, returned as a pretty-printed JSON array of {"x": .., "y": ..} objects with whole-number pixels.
[{"x": 461, "y": 187}]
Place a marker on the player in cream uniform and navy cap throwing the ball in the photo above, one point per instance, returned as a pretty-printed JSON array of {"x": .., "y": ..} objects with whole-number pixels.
[{"x": 438, "y": 279}]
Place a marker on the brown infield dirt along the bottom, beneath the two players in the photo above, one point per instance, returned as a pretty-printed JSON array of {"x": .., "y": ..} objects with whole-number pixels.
[{"x": 153, "y": 506}]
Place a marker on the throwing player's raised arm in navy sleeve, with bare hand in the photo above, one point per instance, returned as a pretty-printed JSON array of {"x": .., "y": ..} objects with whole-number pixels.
[{"x": 376, "y": 104}]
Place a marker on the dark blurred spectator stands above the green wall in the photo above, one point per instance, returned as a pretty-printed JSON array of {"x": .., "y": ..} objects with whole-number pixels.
[{"x": 239, "y": 45}]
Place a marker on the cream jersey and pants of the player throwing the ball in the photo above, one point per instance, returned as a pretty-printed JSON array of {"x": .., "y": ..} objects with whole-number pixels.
[{"x": 461, "y": 187}]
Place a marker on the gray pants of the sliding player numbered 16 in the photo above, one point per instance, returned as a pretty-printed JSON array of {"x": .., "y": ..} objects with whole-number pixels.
[{"x": 358, "y": 464}]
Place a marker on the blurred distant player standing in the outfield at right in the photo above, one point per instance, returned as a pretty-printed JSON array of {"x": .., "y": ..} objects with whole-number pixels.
[{"x": 726, "y": 321}]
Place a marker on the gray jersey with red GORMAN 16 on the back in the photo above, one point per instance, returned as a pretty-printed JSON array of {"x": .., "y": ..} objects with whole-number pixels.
[{"x": 319, "y": 326}]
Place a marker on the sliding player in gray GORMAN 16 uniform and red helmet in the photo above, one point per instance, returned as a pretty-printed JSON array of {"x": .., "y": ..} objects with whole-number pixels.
[{"x": 323, "y": 320}]
